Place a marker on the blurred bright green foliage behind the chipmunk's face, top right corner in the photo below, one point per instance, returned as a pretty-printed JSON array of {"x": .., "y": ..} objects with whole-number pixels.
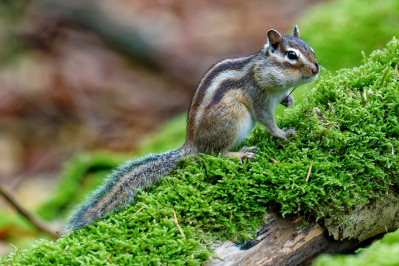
[{"x": 338, "y": 30}]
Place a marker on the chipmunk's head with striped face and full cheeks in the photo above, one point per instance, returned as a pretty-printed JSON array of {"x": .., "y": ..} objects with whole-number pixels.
[{"x": 289, "y": 60}]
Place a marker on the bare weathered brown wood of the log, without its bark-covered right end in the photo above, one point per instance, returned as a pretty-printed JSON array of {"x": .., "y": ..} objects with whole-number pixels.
[{"x": 282, "y": 241}]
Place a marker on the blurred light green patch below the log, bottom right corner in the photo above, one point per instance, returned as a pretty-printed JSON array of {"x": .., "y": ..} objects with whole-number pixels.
[{"x": 381, "y": 253}]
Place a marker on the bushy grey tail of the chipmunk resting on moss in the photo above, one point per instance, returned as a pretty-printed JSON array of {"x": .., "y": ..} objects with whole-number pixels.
[{"x": 120, "y": 188}]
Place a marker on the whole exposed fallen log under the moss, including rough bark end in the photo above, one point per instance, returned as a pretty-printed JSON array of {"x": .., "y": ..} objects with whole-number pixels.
[{"x": 287, "y": 241}]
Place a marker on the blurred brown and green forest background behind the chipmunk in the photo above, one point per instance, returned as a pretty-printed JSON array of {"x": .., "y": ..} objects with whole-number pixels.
[{"x": 85, "y": 84}]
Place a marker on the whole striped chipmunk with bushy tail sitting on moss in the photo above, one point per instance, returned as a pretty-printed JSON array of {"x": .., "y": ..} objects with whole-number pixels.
[{"x": 229, "y": 99}]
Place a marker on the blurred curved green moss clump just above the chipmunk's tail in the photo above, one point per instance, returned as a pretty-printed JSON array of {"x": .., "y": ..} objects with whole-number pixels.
[{"x": 70, "y": 190}]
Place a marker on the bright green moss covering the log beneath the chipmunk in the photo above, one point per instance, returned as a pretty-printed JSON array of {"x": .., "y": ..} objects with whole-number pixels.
[{"x": 347, "y": 128}]
